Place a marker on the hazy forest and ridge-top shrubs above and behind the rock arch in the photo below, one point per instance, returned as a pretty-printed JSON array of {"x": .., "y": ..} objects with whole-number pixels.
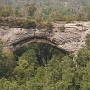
[{"x": 37, "y": 14}]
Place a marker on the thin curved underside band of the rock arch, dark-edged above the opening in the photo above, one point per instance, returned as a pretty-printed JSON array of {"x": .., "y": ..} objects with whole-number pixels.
[{"x": 18, "y": 45}]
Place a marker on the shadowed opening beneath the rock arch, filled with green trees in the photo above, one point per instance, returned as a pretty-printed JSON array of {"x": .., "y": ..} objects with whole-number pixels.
[{"x": 42, "y": 52}]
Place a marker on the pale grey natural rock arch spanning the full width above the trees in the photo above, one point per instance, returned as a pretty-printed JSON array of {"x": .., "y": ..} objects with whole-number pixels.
[{"x": 67, "y": 37}]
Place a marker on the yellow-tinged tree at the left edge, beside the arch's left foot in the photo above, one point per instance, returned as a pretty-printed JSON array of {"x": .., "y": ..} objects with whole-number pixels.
[{"x": 7, "y": 61}]
